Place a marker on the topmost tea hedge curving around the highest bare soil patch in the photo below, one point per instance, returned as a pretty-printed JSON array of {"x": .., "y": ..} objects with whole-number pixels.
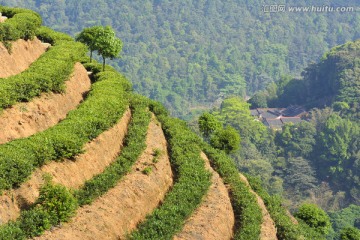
[{"x": 50, "y": 71}]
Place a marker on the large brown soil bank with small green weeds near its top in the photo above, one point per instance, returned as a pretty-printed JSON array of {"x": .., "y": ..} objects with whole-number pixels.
[{"x": 118, "y": 212}]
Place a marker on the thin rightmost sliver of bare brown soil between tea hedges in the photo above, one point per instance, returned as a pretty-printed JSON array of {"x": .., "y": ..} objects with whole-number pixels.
[{"x": 268, "y": 229}]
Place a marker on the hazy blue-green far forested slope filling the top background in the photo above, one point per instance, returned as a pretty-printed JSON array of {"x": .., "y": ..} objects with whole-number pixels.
[{"x": 190, "y": 55}]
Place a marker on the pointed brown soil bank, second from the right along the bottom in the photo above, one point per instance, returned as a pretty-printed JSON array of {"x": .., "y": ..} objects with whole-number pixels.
[{"x": 214, "y": 219}]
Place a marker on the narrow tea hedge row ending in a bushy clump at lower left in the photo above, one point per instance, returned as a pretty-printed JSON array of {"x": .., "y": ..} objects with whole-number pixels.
[{"x": 56, "y": 204}]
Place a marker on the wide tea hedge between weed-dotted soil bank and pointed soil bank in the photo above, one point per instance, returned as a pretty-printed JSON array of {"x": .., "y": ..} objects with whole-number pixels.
[{"x": 191, "y": 181}]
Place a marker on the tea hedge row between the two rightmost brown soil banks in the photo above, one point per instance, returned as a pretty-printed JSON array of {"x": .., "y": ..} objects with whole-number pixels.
[{"x": 248, "y": 216}]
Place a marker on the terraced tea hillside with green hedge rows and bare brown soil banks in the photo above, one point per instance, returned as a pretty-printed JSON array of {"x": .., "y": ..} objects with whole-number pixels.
[{"x": 83, "y": 157}]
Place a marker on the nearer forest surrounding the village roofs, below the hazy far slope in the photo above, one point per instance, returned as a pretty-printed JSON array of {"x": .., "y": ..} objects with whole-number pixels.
[{"x": 314, "y": 161}]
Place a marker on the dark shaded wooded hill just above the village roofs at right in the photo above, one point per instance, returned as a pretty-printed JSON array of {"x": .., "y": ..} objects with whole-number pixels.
[{"x": 334, "y": 80}]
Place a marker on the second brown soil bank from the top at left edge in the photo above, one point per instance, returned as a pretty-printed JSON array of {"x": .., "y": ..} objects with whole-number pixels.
[{"x": 25, "y": 119}]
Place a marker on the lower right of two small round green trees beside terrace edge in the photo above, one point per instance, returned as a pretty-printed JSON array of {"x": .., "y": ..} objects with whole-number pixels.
[{"x": 226, "y": 139}]
